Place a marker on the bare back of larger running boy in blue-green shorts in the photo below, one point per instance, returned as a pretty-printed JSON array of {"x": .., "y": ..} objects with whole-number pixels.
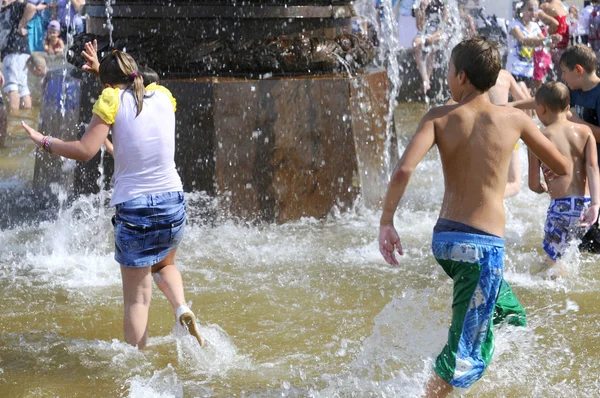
[{"x": 476, "y": 140}]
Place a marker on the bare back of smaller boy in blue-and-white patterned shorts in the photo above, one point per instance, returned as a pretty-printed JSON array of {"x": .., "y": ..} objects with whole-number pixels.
[{"x": 572, "y": 140}]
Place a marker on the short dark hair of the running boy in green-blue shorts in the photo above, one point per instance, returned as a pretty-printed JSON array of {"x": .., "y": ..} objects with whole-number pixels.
[{"x": 479, "y": 59}]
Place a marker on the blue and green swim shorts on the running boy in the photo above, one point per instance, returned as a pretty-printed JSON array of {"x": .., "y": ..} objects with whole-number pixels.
[{"x": 481, "y": 298}]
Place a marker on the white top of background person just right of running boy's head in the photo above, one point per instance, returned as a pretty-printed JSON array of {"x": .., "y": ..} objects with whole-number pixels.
[{"x": 520, "y": 58}]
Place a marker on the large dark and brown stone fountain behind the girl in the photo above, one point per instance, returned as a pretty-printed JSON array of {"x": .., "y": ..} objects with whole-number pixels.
[{"x": 280, "y": 112}]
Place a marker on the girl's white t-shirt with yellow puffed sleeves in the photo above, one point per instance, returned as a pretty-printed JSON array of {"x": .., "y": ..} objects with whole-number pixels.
[{"x": 144, "y": 146}]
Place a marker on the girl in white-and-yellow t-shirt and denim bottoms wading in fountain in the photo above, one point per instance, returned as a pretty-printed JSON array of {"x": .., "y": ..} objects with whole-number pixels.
[{"x": 148, "y": 195}]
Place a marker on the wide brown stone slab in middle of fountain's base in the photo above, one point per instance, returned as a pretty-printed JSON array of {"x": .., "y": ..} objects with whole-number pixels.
[{"x": 314, "y": 153}]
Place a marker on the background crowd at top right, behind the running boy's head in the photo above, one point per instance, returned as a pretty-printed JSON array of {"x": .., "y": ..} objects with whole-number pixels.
[{"x": 536, "y": 35}]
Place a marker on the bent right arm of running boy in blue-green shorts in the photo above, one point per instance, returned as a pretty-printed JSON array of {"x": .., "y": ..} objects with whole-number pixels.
[{"x": 542, "y": 147}]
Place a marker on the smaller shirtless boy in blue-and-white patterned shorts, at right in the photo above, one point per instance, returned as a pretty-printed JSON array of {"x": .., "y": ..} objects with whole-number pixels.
[{"x": 570, "y": 213}]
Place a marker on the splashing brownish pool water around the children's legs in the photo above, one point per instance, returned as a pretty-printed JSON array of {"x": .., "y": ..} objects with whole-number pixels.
[{"x": 308, "y": 308}]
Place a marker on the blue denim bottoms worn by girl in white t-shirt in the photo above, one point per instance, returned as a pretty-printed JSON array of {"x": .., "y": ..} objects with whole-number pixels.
[{"x": 148, "y": 227}]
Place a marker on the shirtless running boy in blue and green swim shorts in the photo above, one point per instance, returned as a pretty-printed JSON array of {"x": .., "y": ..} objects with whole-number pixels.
[{"x": 475, "y": 139}]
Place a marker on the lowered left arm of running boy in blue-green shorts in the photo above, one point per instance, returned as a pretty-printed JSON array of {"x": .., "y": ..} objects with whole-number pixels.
[{"x": 420, "y": 144}]
